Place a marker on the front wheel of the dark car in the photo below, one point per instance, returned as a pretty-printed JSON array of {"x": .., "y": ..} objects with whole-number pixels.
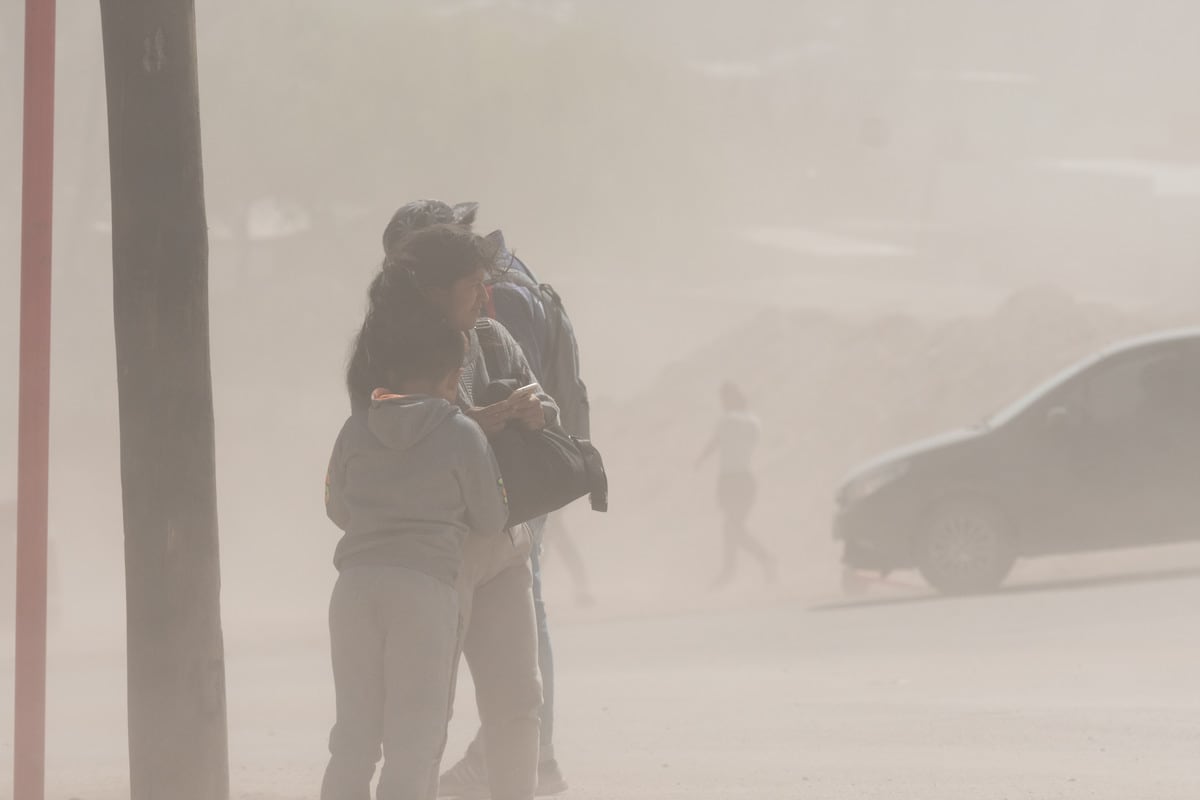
[{"x": 967, "y": 548}]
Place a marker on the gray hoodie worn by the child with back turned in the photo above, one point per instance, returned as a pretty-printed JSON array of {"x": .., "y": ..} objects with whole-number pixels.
[{"x": 409, "y": 480}]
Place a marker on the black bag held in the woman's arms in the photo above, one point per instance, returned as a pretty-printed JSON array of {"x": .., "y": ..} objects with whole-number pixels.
[{"x": 544, "y": 471}]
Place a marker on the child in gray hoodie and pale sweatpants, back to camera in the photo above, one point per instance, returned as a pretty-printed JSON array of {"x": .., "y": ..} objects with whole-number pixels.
[{"x": 410, "y": 479}]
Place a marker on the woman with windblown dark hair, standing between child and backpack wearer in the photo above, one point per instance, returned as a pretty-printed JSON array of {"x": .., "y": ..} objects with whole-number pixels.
[{"x": 440, "y": 273}]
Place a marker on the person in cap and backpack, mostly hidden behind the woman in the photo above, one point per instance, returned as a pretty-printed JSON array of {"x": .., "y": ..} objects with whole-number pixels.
[{"x": 535, "y": 316}]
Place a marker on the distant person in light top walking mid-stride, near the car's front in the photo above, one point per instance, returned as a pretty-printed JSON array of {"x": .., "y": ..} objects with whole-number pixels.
[{"x": 735, "y": 442}]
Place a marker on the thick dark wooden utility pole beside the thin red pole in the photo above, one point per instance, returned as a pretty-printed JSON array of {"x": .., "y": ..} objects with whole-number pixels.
[{"x": 177, "y": 700}]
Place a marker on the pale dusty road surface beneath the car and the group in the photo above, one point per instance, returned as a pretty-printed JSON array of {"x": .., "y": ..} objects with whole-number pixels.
[{"x": 1087, "y": 690}]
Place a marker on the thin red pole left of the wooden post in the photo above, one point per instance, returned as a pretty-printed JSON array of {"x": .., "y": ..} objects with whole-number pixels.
[{"x": 34, "y": 438}]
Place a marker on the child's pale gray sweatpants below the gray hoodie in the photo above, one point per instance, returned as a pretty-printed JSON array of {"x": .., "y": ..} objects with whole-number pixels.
[{"x": 395, "y": 636}]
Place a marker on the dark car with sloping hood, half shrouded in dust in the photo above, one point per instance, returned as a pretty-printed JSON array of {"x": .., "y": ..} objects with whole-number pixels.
[{"x": 1106, "y": 455}]
